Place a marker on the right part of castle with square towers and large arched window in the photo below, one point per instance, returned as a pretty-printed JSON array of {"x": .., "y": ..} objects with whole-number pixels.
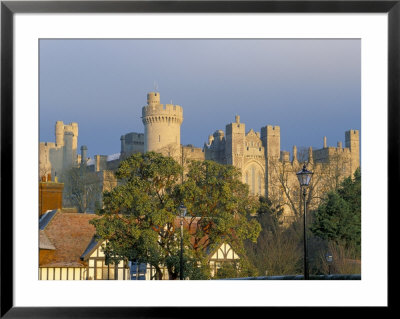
[{"x": 269, "y": 171}]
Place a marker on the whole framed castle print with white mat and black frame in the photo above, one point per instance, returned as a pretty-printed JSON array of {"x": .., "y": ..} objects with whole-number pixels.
[{"x": 294, "y": 68}]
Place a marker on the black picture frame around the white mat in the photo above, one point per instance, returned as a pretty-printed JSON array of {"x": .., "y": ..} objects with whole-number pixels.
[{"x": 9, "y": 8}]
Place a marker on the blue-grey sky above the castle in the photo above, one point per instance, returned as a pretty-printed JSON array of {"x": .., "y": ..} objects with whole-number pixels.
[{"x": 311, "y": 88}]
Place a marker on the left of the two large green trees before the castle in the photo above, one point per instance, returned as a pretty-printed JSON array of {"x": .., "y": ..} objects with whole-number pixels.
[{"x": 138, "y": 218}]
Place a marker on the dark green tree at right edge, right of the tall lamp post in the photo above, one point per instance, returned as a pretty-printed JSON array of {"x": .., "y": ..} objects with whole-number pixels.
[{"x": 338, "y": 218}]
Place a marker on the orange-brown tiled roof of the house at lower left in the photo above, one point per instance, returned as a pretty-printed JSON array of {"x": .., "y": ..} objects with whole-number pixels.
[{"x": 70, "y": 233}]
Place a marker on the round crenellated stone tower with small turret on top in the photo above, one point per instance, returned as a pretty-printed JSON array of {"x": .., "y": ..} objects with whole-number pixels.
[{"x": 162, "y": 126}]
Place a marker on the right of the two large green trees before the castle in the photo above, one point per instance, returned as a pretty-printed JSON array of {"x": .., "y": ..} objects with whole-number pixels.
[{"x": 219, "y": 208}]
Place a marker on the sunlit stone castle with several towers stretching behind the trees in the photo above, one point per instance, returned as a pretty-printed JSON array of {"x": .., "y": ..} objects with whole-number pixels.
[{"x": 267, "y": 169}]
